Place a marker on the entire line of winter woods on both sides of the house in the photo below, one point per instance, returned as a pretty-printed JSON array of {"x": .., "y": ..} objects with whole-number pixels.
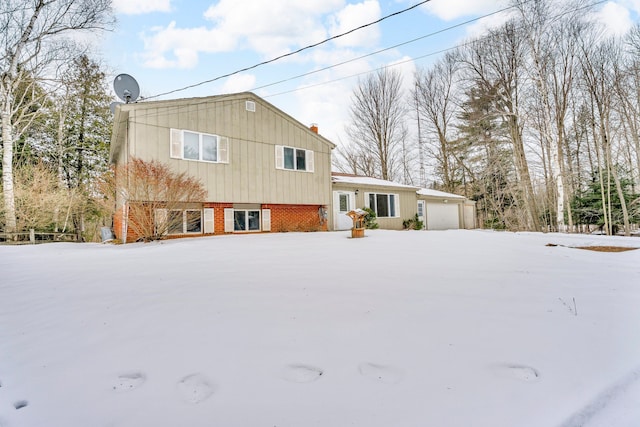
[{"x": 537, "y": 120}]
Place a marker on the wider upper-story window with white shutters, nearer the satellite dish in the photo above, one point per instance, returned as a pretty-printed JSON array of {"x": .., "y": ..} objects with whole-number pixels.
[{"x": 204, "y": 147}]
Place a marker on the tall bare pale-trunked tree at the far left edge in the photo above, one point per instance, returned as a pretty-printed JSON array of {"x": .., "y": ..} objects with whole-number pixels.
[{"x": 32, "y": 44}]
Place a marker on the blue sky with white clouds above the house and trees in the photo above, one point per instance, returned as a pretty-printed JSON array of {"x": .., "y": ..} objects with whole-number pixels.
[{"x": 170, "y": 44}]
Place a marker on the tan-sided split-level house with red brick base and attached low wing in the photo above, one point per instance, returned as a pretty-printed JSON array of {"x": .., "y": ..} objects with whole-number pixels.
[{"x": 263, "y": 171}]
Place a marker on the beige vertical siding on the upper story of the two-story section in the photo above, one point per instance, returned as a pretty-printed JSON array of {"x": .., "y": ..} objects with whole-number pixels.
[{"x": 251, "y": 175}]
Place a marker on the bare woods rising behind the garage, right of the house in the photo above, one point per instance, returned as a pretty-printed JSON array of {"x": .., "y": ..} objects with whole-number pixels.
[{"x": 538, "y": 121}]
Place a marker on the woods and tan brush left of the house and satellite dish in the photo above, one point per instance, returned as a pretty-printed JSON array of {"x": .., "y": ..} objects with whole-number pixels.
[{"x": 55, "y": 118}]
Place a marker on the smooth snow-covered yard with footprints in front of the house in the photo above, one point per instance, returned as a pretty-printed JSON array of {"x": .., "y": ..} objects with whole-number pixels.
[{"x": 451, "y": 328}]
